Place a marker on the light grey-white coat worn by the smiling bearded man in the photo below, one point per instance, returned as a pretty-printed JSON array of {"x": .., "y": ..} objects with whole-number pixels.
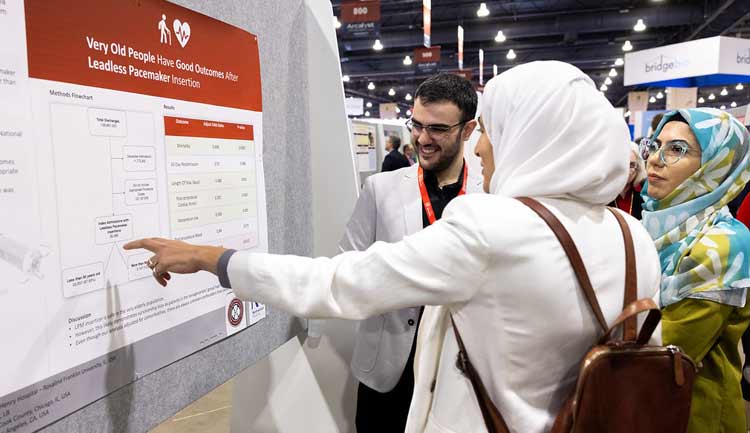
[{"x": 389, "y": 208}]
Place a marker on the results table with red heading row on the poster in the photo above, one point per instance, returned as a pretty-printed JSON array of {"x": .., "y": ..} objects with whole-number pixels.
[{"x": 211, "y": 182}]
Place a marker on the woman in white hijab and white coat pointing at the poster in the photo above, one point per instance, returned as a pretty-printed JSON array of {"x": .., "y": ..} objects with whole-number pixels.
[{"x": 490, "y": 261}]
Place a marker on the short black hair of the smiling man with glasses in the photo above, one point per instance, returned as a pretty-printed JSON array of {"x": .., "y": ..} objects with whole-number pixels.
[{"x": 452, "y": 88}]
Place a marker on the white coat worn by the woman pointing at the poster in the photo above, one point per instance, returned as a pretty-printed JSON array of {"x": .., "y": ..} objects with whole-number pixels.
[{"x": 501, "y": 272}]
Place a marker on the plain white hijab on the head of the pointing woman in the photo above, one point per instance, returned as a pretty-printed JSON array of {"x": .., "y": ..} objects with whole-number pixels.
[{"x": 554, "y": 135}]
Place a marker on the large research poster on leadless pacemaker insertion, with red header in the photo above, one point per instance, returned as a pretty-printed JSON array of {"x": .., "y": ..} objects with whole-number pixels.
[{"x": 118, "y": 120}]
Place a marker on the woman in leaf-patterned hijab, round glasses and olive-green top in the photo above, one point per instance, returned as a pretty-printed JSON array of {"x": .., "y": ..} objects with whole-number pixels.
[{"x": 698, "y": 161}]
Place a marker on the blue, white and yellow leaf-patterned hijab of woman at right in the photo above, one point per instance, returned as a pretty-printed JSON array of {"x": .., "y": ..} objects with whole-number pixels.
[{"x": 704, "y": 251}]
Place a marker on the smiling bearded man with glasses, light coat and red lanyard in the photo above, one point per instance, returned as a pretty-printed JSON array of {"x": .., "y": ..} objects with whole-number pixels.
[{"x": 396, "y": 204}]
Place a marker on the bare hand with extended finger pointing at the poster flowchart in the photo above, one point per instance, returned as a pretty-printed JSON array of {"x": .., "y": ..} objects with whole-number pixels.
[{"x": 177, "y": 256}]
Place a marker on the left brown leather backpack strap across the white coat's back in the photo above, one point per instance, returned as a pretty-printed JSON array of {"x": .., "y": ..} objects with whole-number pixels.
[{"x": 573, "y": 255}]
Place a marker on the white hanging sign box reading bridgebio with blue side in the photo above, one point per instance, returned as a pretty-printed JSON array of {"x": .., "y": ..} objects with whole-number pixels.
[{"x": 717, "y": 58}]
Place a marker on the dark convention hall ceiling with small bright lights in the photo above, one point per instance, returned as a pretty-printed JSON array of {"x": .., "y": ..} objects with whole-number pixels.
[{"x": 587, "y": 33}]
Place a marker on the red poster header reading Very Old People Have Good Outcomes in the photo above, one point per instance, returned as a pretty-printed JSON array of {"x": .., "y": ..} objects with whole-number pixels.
[{"x": 148, "y": 47}]
